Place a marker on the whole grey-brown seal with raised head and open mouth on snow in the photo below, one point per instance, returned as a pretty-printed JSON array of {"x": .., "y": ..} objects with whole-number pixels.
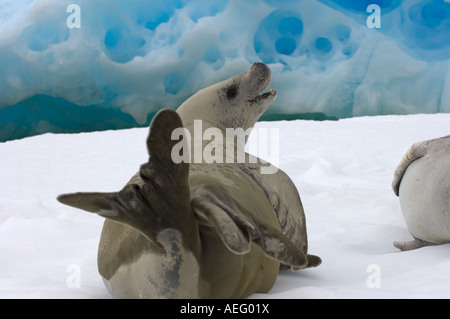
[{"x": 182, "y": 229}]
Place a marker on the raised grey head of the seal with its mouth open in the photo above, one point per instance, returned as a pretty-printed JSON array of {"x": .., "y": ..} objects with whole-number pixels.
[{"x": 234, "y": 103}]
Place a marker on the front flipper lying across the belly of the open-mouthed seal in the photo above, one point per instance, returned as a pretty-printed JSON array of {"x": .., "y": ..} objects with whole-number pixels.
[{"x": 214, "y": 206}]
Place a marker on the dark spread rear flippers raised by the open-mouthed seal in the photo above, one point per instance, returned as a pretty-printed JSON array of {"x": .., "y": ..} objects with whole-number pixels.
[{"x": 160, "y": 198}]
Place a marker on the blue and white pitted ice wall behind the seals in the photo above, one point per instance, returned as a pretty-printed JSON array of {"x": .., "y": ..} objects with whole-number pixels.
[{"x": 68, "y": 66}]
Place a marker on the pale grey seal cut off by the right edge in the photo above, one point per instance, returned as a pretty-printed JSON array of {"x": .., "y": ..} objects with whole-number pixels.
[{"x": 422, "y": 182}]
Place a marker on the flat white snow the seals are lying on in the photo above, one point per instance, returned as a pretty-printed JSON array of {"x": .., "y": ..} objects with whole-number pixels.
[{"x": 343, "y": 170}]
